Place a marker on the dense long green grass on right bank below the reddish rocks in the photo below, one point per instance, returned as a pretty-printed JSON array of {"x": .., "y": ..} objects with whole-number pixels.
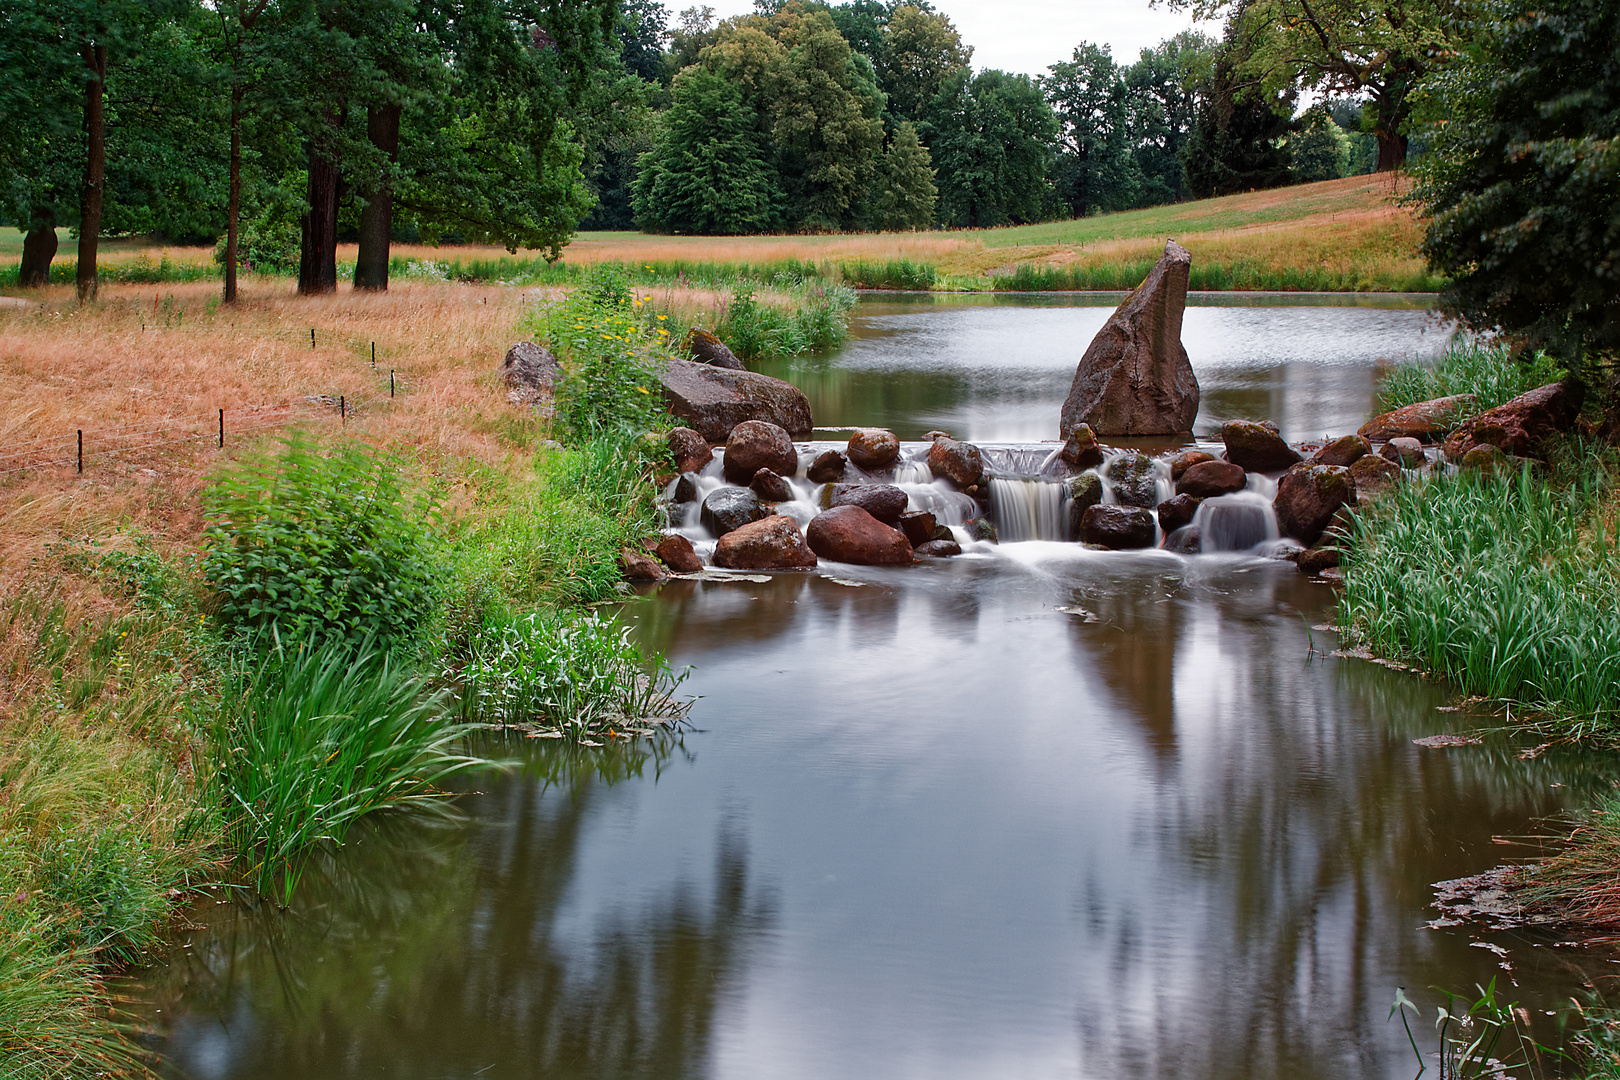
[{"x": 1504, "y": 584}]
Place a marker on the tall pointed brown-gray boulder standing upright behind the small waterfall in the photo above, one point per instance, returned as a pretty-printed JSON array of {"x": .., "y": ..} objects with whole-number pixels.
[{"x": 1136, "y": 378}]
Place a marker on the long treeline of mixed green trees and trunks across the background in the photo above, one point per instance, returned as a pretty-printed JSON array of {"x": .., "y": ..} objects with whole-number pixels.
[{"x": 281, "y": 129}]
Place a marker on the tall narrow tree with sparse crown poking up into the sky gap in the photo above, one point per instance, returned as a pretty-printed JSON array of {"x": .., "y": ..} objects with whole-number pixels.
[{"x": 1089, "y": 100}]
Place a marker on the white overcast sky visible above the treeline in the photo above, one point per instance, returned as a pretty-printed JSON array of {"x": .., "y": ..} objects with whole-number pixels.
[{"x": 1033, "y": 35}]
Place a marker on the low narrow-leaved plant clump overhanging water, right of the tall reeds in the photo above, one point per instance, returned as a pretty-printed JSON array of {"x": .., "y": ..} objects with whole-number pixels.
[{"x": 571, "y": 674}]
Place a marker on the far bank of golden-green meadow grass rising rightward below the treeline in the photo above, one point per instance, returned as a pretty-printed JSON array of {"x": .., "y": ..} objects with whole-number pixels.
[{"x": 1339, "y": 236}]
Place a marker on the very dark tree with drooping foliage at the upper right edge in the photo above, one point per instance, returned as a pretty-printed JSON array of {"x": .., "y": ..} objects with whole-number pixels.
[{"x": 1522, "y": 182}]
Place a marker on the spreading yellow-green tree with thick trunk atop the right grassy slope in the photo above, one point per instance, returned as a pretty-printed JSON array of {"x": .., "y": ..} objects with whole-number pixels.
[{"x": 1378, "y": 49}]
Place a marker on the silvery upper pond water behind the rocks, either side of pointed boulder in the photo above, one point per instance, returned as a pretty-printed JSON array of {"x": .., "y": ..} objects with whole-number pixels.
[{"x": 991, "y": 368}]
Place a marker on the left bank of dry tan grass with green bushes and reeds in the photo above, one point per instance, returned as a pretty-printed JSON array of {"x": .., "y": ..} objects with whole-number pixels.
[{"x": 150, "y": 742}]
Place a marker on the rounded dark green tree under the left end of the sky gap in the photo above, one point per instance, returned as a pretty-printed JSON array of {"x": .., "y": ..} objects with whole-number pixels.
[{"x": 994, "y": 138}]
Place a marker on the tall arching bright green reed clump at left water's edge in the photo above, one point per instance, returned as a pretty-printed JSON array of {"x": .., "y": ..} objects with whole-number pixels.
[{"x": 315, "y": 736}]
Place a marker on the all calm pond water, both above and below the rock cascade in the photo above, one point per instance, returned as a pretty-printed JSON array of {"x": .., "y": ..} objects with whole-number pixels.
[{"x": 1033, "y": 812}]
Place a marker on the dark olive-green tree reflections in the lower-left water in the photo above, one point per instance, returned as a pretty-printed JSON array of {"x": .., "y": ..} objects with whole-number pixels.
[{"x": 432, "y": 950}]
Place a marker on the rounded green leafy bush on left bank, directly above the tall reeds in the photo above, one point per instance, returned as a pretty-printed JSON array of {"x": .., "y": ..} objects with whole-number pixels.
[{"x": 320, "y": 543}]
